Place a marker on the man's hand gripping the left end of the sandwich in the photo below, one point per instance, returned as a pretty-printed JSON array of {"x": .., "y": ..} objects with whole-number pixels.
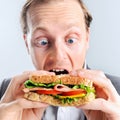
[{"x": 14, "y": 107}]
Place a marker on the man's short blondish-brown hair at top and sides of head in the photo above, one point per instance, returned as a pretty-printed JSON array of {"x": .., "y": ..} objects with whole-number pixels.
[{"x": 29, "y": 3}]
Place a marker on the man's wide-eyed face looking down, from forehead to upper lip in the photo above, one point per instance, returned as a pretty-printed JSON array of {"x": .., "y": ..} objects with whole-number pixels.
[{"x": 57, "y": 37}]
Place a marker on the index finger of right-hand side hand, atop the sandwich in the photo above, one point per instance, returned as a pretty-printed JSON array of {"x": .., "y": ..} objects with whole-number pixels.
[{"x": 100, "y": 80}]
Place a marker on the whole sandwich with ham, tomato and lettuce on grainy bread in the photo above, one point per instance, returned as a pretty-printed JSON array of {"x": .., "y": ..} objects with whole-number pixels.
[{"x": 59, "y": 90}]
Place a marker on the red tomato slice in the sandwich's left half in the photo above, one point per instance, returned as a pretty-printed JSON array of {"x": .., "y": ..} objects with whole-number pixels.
[{"x": 48, "y": 92}]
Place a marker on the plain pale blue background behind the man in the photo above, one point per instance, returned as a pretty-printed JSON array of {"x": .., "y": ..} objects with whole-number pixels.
[{"x": 104, "y": 51}]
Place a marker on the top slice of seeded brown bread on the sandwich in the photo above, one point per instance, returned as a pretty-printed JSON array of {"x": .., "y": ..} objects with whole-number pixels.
[{"x": 64, "y": 79}]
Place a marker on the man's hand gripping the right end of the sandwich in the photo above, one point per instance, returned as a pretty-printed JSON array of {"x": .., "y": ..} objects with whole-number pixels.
[{"x": 106, "y": 106}]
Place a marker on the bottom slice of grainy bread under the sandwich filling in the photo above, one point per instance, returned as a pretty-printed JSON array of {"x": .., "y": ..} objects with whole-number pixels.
[{"x": 58, "y": 102}]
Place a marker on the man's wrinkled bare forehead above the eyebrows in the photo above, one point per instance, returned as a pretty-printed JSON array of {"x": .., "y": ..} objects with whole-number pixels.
[{"x": 62, "y": 12}]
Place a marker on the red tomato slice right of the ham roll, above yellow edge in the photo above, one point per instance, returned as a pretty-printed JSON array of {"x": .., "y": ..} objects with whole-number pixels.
[{"x": 74, "y": 92}]
